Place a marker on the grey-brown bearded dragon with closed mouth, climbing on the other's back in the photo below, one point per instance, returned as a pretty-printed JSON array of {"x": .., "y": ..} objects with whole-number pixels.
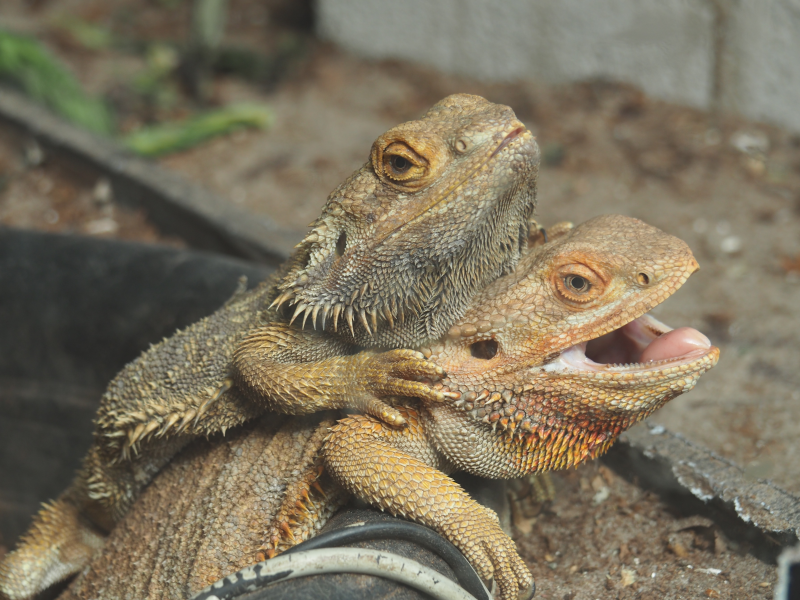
[{"x": 440, "y": 210}]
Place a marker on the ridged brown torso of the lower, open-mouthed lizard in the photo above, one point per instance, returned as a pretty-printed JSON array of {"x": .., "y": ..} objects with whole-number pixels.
[{"x": 206, "y": 513}]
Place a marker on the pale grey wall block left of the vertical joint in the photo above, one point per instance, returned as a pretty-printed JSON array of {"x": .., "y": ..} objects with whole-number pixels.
[{"x": 664, "y": 46}]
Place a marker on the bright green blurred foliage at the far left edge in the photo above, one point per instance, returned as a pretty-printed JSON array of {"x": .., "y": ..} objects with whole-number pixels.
[{"x": 26, "y": 64}]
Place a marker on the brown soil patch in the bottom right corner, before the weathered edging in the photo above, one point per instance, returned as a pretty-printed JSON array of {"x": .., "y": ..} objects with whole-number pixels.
[{"x": 603, "y": 537}]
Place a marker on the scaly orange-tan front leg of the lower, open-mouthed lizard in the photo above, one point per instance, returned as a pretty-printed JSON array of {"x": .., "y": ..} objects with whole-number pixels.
[{"x": 398, "y": 470}]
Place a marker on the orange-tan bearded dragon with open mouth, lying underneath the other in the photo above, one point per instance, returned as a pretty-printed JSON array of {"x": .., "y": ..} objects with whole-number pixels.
[{"x": 544, "y": 371}]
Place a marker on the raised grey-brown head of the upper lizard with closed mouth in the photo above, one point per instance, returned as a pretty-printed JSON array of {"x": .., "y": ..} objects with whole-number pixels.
[{"x": 439, "y": 211}]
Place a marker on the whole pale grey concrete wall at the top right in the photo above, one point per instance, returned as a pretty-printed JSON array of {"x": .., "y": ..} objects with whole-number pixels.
[{"x": 742, "y": 55}]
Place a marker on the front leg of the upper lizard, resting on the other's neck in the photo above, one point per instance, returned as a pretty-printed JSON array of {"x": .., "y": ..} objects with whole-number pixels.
[{"x": 297, "y": 371}]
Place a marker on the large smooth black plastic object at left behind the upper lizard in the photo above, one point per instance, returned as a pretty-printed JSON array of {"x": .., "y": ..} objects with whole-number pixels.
[{"x": 73, "y": 312}]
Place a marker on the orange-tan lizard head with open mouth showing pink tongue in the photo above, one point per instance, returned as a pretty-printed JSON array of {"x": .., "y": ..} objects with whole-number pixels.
[{"x": 561, "y": 356}]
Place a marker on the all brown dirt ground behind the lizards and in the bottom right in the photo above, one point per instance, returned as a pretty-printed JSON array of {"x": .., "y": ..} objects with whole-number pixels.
[{"x": 729, "y": 187}]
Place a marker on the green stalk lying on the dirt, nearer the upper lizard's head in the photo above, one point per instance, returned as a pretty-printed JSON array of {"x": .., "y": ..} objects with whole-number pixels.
[{"x": 171, "y": 137}]
